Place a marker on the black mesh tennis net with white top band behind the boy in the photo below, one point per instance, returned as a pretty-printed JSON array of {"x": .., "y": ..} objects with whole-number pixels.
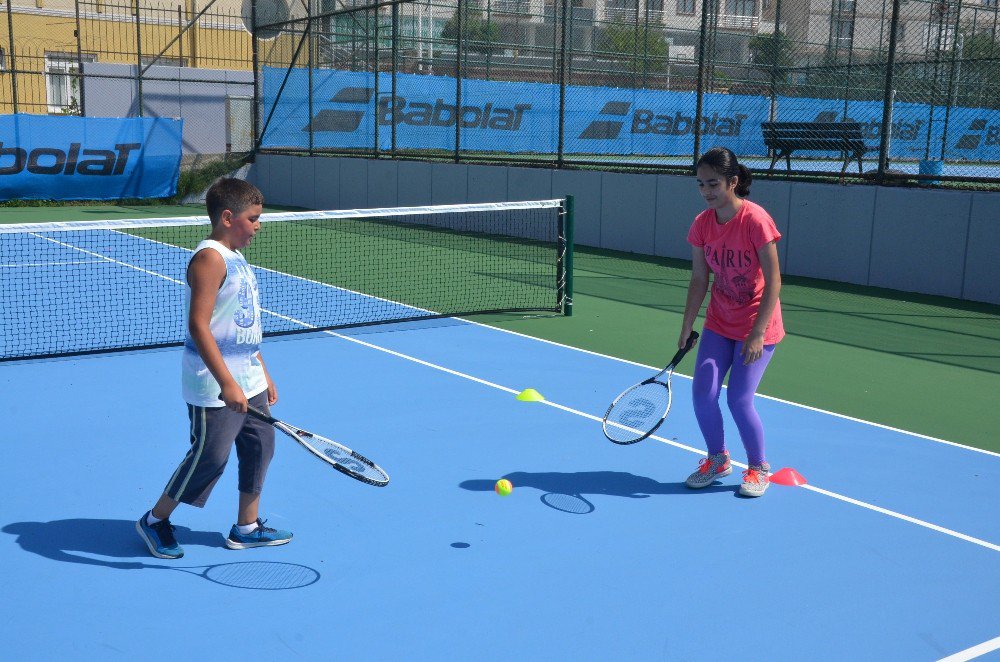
[{"x": 87, "y": 287}]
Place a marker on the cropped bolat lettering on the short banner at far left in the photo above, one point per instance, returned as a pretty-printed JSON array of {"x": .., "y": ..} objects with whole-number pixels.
[{"x": 55, "y": 161}]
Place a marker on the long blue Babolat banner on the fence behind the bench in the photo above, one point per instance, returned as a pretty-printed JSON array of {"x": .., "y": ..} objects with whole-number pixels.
[{"x": 508, "y": 117}]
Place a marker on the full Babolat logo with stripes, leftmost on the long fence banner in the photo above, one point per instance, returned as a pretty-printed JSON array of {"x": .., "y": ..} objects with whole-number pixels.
[{"x": 399, "y": 110}]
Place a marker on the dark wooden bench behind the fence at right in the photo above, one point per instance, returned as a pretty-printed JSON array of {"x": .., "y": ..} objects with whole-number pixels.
[{"x": 784, "y": 138}]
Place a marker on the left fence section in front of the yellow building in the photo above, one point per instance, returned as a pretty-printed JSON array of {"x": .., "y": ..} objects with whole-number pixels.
[{"x": 115, "y": 58}]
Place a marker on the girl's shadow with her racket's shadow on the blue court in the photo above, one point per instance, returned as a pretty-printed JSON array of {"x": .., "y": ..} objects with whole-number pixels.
[{"x": 565, "y": 491}]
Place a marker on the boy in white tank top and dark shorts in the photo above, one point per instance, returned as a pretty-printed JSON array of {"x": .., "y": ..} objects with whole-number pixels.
[{"x": 222, "y": 371}]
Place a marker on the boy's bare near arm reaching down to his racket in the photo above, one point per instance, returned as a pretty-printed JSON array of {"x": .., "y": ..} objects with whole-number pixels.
[{"x": 206, "y": 274}]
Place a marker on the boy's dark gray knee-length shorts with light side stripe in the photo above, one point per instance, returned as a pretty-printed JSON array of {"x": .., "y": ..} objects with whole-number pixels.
[{"x": 214, "y": 430}]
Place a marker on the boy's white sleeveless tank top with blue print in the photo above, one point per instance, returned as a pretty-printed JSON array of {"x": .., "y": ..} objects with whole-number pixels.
[{"x": 236, "y": 328}]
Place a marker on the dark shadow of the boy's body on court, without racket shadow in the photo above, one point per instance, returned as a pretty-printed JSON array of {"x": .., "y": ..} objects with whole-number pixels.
[{"x": 59, "y": 539}]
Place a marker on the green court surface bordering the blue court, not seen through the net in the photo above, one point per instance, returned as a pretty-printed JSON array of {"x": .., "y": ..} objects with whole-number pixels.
[{"x": 928, "y": 365}]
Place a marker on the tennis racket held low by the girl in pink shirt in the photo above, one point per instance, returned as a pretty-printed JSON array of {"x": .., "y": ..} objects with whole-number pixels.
[{"x": 641, "y": 409}]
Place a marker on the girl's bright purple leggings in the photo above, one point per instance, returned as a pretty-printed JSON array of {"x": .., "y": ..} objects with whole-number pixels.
[{"x": 717, "y": 356}]
